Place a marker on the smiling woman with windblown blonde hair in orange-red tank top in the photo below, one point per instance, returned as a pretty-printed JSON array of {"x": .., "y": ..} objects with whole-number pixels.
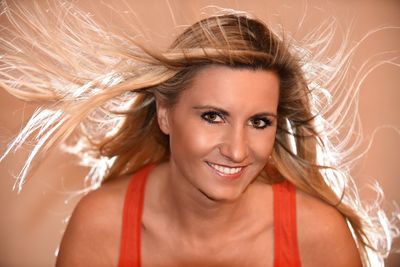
[{"x": 217, "y": 160}]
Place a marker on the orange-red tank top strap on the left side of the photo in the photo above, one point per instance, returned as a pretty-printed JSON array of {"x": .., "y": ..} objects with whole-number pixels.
[{"x": 132, "y": 219}]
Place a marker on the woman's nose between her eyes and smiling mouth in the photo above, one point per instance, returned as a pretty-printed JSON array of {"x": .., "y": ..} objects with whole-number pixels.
[{"x": 235, "y": 145}]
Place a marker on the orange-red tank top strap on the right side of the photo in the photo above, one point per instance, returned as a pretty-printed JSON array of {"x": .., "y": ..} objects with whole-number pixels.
[{"x": 286, "y": 251}]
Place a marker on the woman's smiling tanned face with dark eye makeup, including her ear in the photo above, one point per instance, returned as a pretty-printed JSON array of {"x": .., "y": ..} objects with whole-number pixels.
[{"x": 222, "y": 130}]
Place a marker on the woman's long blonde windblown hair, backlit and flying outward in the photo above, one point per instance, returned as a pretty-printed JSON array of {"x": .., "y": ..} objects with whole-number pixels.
[{"x": 98, "y": 89}]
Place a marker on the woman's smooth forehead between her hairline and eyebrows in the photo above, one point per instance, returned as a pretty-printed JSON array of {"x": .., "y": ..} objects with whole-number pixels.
[{"x": 233, "y": 88}]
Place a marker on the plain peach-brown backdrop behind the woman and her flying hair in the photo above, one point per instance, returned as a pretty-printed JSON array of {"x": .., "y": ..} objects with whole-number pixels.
[{"x": 32, "y": 223}]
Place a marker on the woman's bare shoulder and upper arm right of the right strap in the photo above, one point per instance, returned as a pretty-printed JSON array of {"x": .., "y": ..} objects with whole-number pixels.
[{"x": 323, "y": 235}]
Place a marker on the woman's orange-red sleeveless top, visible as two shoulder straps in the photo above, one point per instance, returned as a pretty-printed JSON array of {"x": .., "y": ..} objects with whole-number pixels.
[{"x": 286, "y": 252}]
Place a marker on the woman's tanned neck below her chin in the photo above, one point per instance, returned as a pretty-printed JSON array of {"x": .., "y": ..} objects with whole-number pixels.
[{"x": 196, "y": 214}]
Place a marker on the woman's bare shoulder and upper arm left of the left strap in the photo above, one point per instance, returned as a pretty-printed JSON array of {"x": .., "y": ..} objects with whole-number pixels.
[{"x": 93, "y": 233}]
